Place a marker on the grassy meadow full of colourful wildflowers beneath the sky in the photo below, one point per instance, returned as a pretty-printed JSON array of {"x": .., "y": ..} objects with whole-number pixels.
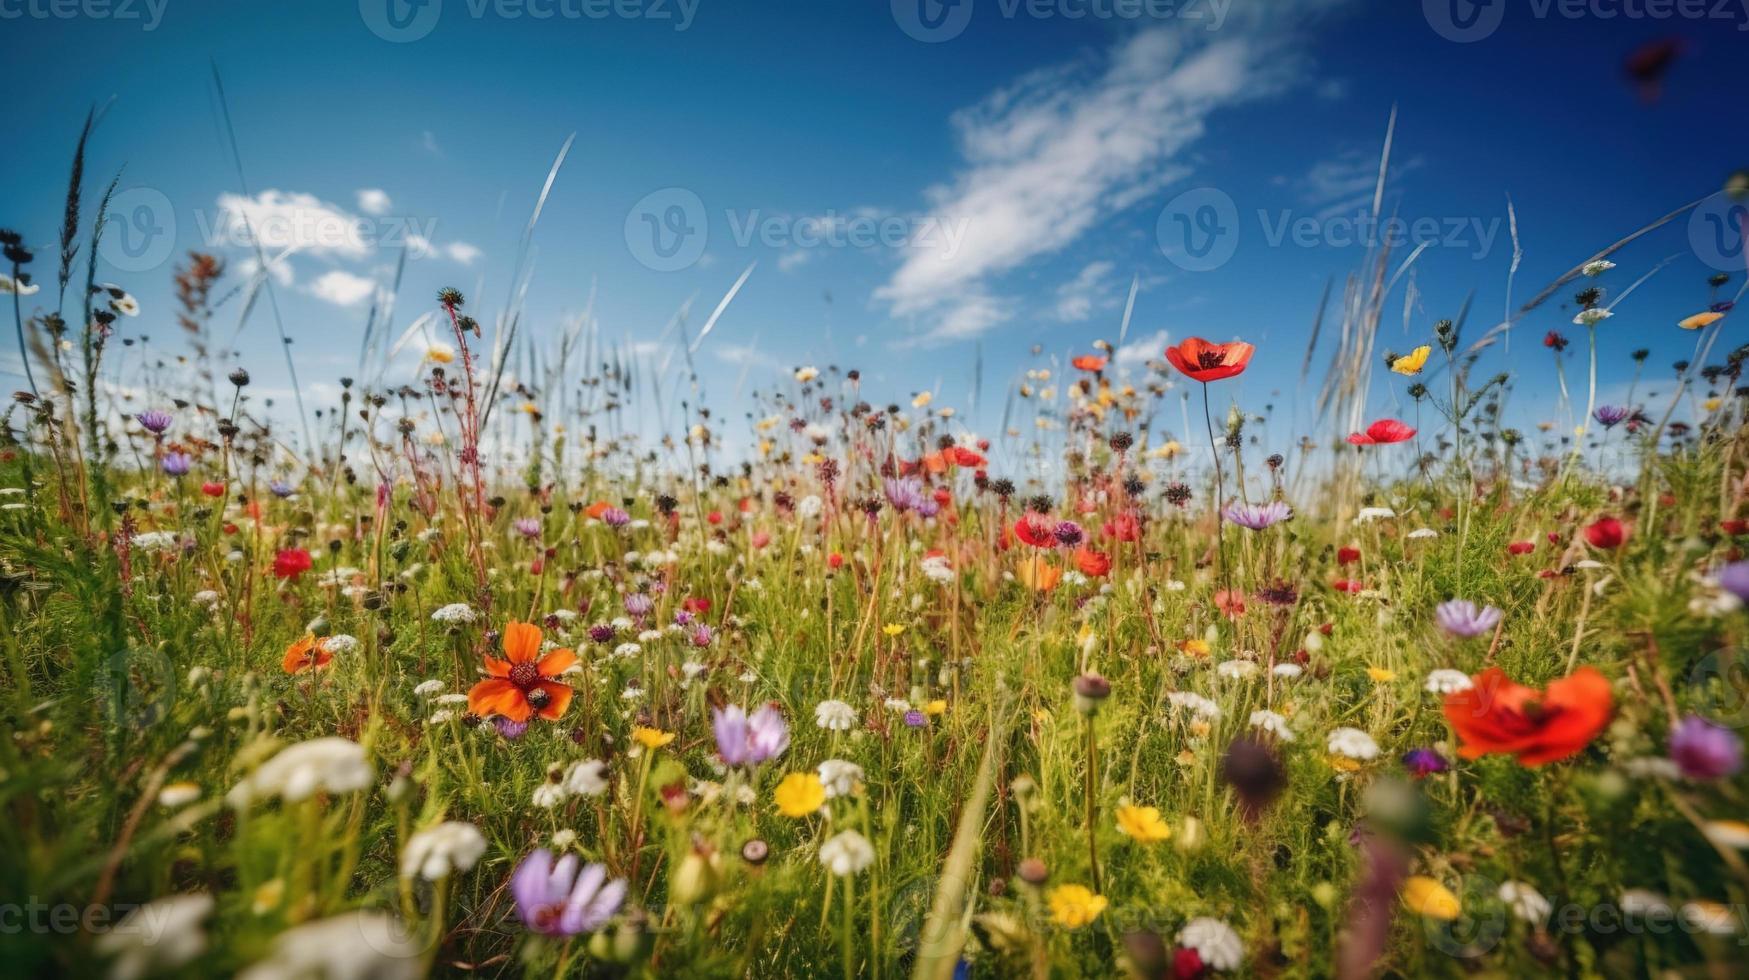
[{"x": 478, "y": 682}]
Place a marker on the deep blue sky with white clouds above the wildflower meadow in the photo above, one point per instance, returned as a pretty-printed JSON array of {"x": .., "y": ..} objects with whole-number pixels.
[{"x": 1008, "y": 183}]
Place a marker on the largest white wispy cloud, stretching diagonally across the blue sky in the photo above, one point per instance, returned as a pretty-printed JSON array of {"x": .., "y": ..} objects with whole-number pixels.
[{"x": 1063, "y": 150}]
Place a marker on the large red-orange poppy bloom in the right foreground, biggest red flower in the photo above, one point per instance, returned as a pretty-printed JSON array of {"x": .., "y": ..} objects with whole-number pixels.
[{"x": 1503, "y": 717}]
